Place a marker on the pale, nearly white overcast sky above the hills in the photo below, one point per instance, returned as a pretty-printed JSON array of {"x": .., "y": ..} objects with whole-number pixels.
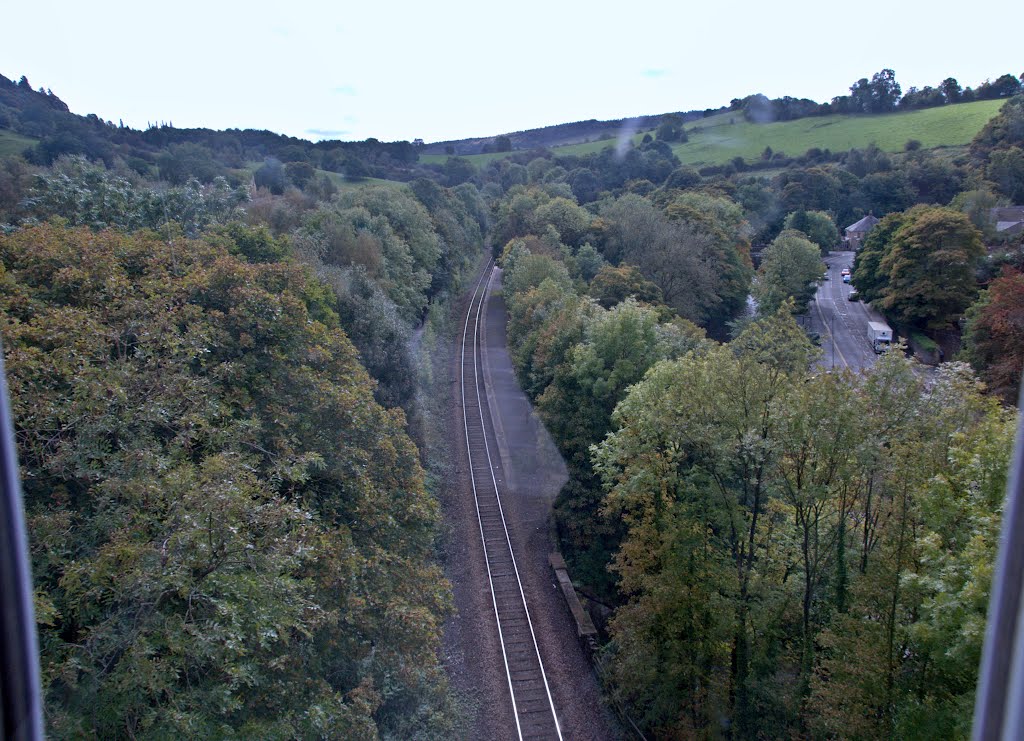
[{"x": 453, "y": 69}]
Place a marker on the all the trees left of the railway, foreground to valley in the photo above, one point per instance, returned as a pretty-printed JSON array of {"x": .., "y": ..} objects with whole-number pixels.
[{"x": 217, "y": 398}]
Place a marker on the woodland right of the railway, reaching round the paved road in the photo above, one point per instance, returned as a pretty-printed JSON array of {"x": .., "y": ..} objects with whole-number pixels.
[{"x": 787, "y": 552}]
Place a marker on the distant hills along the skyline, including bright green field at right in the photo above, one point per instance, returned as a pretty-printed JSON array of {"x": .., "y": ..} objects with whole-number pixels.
[{"x": 751, "y": 133}]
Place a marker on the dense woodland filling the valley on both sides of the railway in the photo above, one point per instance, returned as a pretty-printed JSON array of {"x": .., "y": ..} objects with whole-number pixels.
[{"x": 218, "y": 347}]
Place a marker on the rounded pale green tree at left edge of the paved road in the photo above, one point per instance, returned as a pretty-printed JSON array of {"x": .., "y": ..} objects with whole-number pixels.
[{"x": 791, "y": 268}]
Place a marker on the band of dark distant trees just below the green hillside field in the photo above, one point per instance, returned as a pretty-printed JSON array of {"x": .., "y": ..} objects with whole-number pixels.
[{"x": 847, "y": 186}]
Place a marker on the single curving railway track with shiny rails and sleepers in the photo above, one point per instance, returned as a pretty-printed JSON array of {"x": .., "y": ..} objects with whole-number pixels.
[{"x": 530, "y": 694}]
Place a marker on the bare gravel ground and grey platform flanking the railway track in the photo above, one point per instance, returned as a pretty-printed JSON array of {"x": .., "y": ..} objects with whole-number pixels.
[{"x": 533, "y": 472}]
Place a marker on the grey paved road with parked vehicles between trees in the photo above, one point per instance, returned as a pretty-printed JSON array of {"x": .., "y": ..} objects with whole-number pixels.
[{"x": 841, "y": 323}]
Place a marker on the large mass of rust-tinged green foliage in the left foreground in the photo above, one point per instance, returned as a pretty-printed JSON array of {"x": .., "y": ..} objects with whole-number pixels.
[{"x": 230, "y": 537}]
